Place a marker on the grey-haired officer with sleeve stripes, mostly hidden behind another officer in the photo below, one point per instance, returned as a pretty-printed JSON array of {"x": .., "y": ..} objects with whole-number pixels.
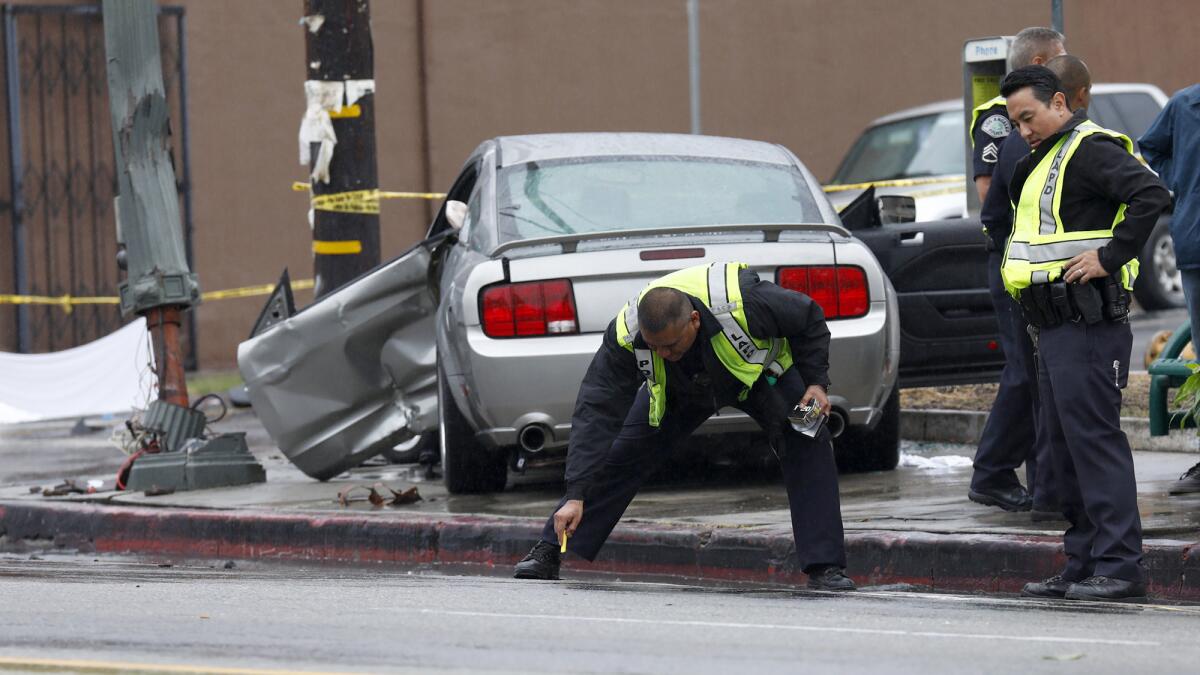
[{"x": 1011, "y": 437}]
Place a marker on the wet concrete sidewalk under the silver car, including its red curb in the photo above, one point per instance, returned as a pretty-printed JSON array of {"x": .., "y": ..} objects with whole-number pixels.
[{"x": 909, "y": 527}]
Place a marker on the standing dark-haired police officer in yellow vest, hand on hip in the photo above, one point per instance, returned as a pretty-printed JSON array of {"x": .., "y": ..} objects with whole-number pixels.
[{"x": 1085, "y": 210}]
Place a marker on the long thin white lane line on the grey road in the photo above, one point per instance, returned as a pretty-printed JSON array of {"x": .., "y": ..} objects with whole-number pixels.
[{"x": 800, "y": 629}]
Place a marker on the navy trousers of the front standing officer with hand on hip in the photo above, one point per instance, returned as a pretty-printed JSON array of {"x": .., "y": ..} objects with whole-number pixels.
[{"x": 1083, "y": 369}]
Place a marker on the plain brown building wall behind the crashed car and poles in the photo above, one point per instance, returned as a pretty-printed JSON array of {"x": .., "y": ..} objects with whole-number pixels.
[{"x": 807, "y": 74}]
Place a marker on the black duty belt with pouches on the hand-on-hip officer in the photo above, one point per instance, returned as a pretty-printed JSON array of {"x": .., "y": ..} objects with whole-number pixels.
[{"x": 1047, "y": 306}]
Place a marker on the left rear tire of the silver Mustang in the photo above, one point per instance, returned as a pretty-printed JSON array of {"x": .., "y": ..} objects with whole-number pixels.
[{"x": 467, "y": 468}]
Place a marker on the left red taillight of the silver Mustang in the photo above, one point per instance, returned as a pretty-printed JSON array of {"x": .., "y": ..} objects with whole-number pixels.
[{"x": 536, "y": 308}]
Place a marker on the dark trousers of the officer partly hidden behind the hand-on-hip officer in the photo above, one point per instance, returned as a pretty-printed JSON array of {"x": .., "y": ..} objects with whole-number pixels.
[{"x": 1012, "y": 434}]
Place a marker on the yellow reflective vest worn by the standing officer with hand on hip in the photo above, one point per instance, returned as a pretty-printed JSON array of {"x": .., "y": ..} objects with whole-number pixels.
[{"x": 1039, "y": 246}]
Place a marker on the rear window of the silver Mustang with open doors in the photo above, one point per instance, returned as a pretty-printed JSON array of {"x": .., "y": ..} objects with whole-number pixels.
[{"x": 609, "y": 194}]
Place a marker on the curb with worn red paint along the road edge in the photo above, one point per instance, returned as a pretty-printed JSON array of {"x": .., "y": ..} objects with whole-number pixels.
[{"x": 952, "y": 563}]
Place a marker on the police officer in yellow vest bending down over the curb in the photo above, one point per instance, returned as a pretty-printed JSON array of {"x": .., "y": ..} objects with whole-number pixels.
[{"x": 692, "y": 343}]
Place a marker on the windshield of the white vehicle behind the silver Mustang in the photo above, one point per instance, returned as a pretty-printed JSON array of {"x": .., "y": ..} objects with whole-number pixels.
[{"x": 911, "y": 148}]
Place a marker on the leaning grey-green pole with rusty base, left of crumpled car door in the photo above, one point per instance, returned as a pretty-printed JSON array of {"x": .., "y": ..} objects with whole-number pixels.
[{"x": 159, "y": 285}]
